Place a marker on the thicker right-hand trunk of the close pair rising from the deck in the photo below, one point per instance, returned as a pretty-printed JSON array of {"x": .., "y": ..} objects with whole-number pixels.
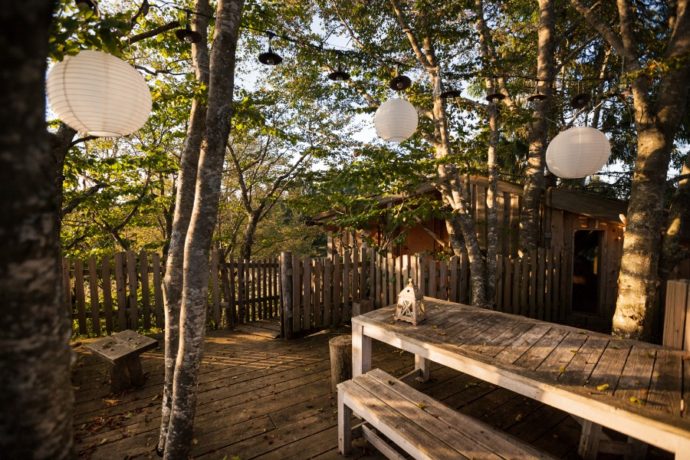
[{"x": 198, "y": 241}]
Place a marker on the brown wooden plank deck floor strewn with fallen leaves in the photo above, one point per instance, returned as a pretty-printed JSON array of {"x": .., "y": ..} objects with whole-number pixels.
[{"x": 261, "y": 397}]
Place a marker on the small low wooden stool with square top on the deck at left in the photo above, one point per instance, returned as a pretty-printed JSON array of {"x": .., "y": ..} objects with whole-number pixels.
[{"x": 122, "y": 350}]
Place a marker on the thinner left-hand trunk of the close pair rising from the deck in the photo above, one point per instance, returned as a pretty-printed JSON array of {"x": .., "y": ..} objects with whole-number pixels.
[{"x": 184, "y": 202}]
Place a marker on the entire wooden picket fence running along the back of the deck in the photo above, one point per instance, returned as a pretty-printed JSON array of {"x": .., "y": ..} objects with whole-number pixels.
[{"x": 125, "y": 292}]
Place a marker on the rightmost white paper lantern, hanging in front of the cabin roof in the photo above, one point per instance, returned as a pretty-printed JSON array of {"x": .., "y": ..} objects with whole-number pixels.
[{"x": 577, "y": 152}]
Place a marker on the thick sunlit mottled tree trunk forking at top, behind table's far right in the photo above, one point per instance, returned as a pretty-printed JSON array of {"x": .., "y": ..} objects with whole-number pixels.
[{"x": 657, "y": 117}]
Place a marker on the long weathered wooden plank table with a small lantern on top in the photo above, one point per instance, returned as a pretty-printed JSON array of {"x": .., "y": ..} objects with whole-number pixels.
[{"x": 631, "y": 387}]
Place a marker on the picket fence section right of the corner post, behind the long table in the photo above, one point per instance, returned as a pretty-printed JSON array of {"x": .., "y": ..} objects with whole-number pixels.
[{"x": 319, "y": 292}]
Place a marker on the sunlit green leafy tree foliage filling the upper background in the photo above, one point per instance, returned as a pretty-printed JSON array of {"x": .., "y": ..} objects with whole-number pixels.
[{"x": 295, "y": 110}]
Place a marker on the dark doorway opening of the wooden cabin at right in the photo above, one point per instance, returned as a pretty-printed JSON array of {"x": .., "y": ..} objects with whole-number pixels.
[{"x": 586, "y": 269}]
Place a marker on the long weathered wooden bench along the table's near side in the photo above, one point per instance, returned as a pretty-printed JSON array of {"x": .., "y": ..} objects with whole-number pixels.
[{"x": 418, "y": 424}]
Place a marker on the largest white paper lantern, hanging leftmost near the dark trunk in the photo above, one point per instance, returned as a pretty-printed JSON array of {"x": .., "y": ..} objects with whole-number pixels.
[{"x": 98, "y": 94}]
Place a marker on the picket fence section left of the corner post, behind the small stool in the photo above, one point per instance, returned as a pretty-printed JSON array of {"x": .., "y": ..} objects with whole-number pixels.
[{"x": 124, "y": 291}]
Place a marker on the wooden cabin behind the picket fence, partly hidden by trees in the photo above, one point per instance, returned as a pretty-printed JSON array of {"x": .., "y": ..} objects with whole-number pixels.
[{"x": 587, "y": 231}]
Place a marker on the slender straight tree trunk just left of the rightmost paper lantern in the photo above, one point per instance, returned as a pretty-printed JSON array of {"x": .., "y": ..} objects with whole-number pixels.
[{"x": 534, "y": 173}]
